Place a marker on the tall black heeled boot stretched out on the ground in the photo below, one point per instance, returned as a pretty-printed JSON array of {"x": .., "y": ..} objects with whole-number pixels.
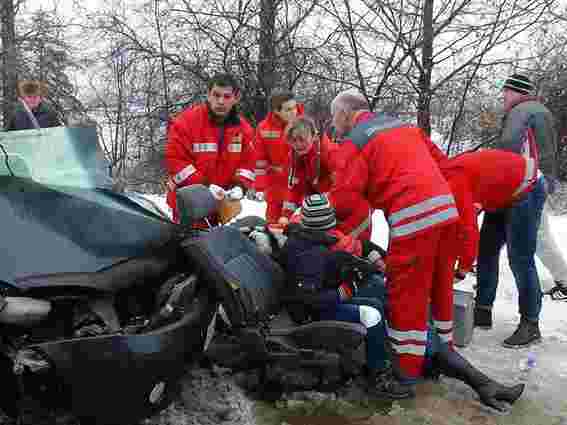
[{"x": 491, "y": 393}]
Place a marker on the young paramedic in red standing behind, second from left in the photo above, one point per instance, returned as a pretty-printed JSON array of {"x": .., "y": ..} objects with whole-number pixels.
[{"x": 273, "y": 153}]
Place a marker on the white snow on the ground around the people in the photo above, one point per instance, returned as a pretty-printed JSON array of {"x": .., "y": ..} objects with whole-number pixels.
[{"x": 547, "y": 380}]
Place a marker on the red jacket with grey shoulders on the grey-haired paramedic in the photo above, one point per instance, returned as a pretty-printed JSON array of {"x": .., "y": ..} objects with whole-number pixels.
[{"x": 390, "y": 164}]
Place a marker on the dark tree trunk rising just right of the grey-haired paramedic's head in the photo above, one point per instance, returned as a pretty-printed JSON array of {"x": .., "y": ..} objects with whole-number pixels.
[{"x": 424, "y": 99}]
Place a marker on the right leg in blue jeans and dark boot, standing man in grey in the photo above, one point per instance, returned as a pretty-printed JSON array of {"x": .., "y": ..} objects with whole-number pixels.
[{"x": 522, "y": 227}]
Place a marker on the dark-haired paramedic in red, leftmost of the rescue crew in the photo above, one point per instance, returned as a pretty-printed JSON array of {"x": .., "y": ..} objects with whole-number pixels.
[{"x": 211, "y": 143}]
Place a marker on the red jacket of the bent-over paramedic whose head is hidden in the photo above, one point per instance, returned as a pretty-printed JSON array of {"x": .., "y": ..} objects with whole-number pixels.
[{"x": 491, "y": 178}]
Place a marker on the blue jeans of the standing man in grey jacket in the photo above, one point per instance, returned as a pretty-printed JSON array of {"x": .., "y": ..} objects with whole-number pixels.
[{"x": 517, "y": 227}]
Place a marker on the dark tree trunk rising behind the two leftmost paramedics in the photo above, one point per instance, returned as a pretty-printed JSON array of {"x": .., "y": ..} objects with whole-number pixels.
[{"x": 267, "y": 56}]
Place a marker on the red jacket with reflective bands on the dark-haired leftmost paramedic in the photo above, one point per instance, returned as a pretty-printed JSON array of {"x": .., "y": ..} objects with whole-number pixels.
[{"x": 200, "y": 151}]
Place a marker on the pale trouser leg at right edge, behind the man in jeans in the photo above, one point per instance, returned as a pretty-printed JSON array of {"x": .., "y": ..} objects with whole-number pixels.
[{"x": 547, "y": 250}]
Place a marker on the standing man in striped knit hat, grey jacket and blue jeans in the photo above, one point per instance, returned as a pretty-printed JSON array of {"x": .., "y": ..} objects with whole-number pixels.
[{"x": 527, "y": 129}]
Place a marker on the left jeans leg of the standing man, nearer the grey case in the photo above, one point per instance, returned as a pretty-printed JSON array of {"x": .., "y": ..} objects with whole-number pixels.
[{"x": 492, "y": 238}]
